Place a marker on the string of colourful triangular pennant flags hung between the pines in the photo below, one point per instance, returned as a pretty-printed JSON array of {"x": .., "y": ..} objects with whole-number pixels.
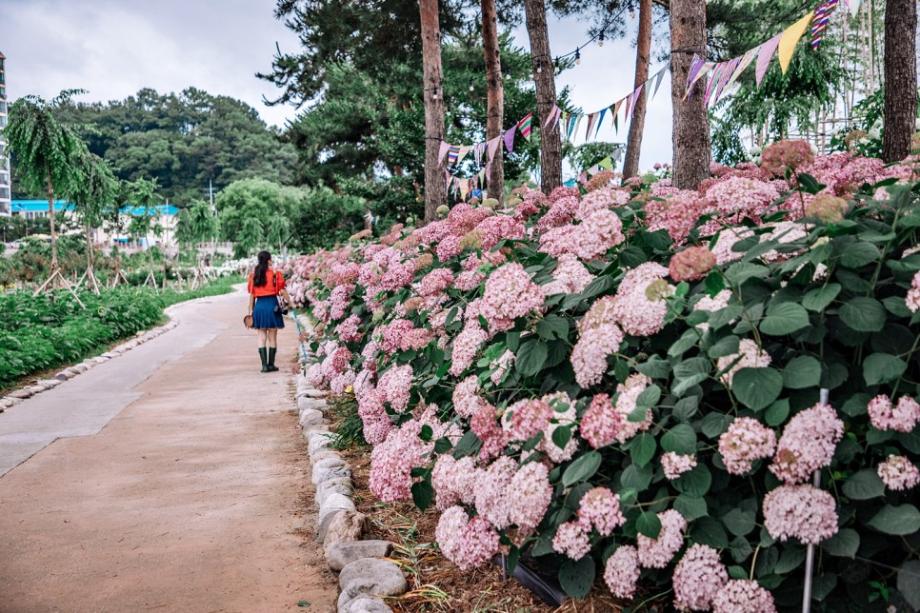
[{"x": 722, "y": 75}]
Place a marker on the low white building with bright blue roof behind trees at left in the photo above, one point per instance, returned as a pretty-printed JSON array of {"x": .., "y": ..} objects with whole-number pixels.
[{"x": 162, "y": 232}]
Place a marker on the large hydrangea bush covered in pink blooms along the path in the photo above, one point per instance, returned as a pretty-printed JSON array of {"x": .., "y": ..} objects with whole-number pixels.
[{"x": 625, "y": 384}]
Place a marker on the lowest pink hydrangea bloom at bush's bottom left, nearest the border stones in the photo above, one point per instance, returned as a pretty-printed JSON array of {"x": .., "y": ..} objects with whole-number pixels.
[{"x": 468, "y": 543}]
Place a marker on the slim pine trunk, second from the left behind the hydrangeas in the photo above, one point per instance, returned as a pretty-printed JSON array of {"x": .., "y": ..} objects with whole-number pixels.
[{"x": 495, "y": 96}]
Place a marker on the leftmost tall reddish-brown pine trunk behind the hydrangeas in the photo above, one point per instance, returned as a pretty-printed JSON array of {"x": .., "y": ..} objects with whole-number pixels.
[{"x": 434, "y": 107}]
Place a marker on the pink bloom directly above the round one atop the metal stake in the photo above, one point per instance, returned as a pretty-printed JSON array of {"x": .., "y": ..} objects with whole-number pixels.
[{"x": 807, "y": 443}]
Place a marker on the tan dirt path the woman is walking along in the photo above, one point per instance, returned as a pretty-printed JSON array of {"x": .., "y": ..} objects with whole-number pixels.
[{"x": 191, "y": 498}]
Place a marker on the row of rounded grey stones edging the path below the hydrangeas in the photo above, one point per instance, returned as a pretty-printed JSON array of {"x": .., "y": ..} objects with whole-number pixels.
[{"x": 365, "y": 575}]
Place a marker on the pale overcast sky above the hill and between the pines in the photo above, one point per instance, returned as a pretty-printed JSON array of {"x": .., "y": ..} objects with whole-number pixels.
[{"x": 112, "y": 48}]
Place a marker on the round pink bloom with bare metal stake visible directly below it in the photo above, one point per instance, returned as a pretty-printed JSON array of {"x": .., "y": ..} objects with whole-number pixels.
[{"x": 802, "y": 512}]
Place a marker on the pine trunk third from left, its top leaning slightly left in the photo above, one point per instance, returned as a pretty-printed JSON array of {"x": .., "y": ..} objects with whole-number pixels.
[{"x": 545, "y": 79}]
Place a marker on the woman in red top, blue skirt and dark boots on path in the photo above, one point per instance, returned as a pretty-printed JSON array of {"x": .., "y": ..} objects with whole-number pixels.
[{"x": 266, "y": 288}]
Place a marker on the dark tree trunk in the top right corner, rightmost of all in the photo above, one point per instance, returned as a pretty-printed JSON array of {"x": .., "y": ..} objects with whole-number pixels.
[{"x": 900, "y": 78}]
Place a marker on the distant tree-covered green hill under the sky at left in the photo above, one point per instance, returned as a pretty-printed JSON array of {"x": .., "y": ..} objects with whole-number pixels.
[{"x": 183, "y": 140}]
